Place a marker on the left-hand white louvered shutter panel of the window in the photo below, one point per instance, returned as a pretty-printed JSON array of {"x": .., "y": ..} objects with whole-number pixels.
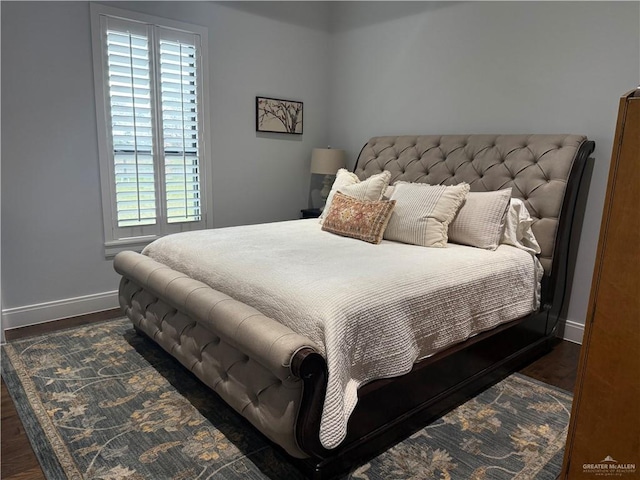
[{"x": 129, "y": 87}]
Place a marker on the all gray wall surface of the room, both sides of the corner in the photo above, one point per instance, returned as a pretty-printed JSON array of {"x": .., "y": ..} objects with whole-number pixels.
[{"x": 362, "y": 69}]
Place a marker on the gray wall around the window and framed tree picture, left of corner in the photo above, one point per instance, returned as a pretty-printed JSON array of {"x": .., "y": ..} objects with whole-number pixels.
[{"x": 53, "y": 262}]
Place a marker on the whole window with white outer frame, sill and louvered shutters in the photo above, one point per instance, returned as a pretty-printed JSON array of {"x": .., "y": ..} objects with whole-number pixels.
[{"x": 150, "y": 78}]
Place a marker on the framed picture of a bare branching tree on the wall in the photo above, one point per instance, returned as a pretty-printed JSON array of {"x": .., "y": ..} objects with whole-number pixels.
[{"x": 280, "y": 116}]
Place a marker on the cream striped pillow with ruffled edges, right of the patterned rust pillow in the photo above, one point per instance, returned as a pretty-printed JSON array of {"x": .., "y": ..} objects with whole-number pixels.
[{"x": 423, "y": 212}]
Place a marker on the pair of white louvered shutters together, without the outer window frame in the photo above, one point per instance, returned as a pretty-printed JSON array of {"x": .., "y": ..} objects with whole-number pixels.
[{"x": 154, "y": 124}]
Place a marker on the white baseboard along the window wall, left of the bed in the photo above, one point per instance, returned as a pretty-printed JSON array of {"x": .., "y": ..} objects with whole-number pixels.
[{"x": 46, "y": 312}]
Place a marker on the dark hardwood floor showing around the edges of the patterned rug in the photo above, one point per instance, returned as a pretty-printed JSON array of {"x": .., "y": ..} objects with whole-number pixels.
[{"x": 18, "y": 462}]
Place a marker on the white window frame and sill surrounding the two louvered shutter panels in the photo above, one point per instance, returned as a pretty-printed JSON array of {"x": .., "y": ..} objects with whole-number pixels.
[{"x": 116, "y": 238}]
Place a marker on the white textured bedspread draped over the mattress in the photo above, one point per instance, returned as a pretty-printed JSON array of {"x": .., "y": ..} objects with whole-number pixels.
[{"x": 373, "y": 310}]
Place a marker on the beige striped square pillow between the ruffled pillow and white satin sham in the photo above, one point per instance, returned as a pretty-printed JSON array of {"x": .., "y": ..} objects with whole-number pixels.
[{"x": 480, "y": 220}]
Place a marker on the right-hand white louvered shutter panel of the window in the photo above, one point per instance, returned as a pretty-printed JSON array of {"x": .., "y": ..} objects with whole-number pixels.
[{"x": 178, "y": 58}]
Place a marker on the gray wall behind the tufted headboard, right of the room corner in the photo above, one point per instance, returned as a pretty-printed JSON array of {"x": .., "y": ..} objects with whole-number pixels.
[{"x": 488, "y": 67}]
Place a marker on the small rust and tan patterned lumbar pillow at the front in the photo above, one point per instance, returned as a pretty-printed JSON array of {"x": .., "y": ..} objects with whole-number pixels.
[{"x": 361, "y": 219}]
